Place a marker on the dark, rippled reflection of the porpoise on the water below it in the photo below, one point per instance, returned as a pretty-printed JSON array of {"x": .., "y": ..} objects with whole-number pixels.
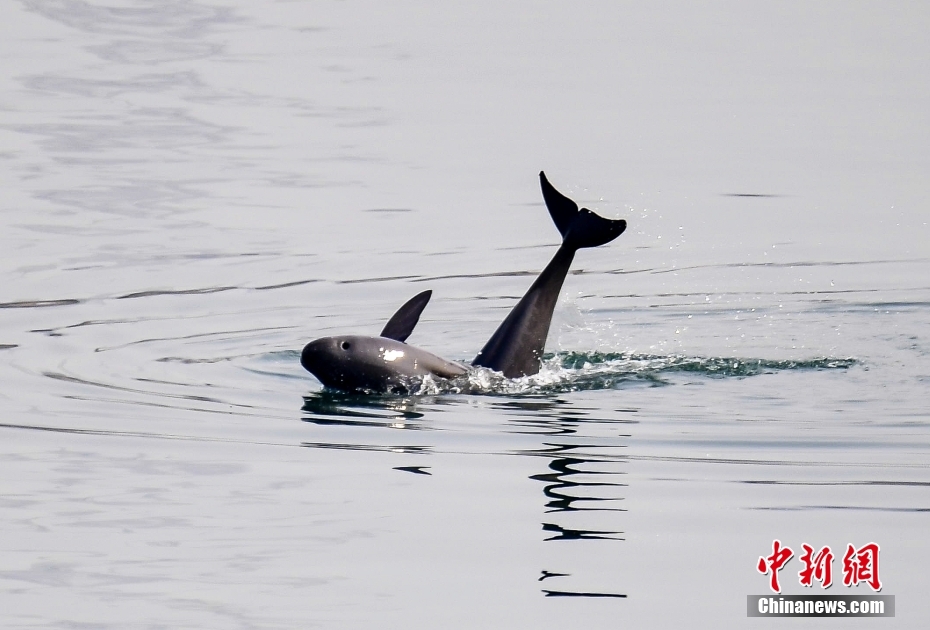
[{"x": 579, "y": 449}]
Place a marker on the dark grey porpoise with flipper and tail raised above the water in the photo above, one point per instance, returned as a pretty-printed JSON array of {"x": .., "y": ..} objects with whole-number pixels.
[{"x": 387, "y": 364}]
